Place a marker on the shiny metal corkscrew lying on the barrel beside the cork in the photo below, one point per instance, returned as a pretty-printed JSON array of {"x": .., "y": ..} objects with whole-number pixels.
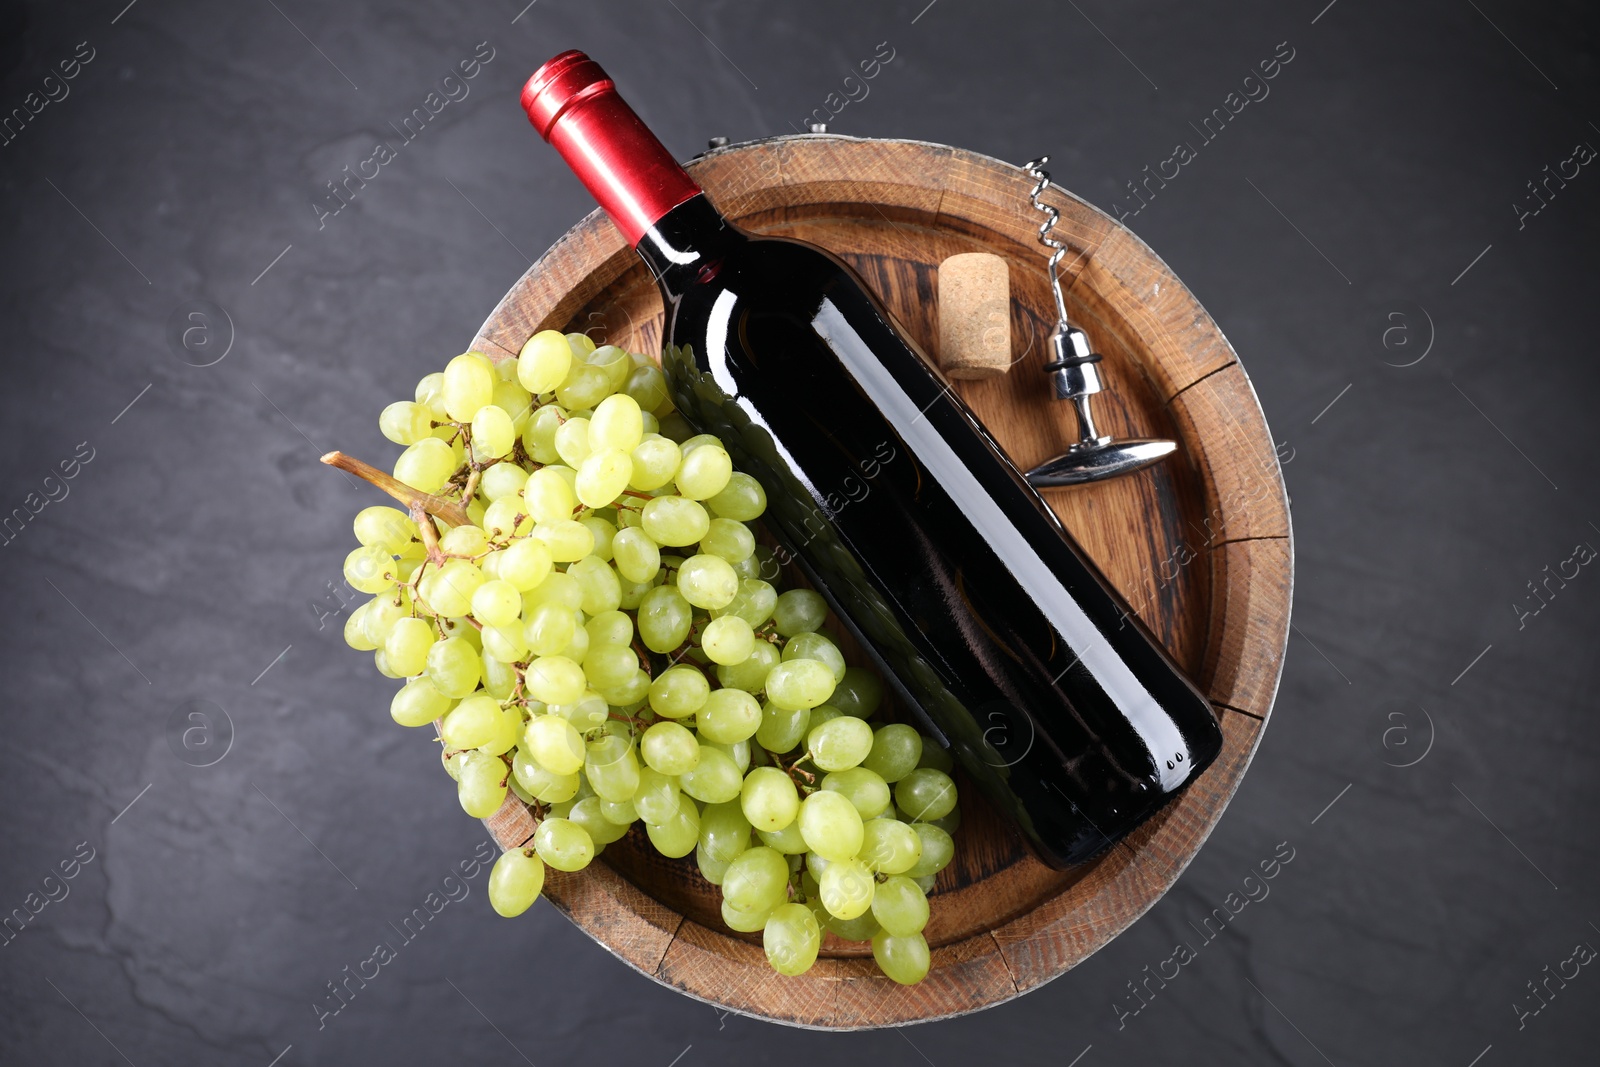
[{"x": 1074, "y": 375}]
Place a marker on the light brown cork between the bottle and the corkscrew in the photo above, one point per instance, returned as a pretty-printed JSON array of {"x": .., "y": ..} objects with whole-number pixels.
[{"x": 975, "y": 316}]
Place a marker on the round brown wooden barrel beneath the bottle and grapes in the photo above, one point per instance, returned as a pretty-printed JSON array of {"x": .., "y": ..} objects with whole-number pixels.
[{"x": 1199, "y": 545}]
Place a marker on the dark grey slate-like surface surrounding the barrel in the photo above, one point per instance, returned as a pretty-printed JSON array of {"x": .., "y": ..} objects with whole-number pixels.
[{"x": 188, "y": 554}]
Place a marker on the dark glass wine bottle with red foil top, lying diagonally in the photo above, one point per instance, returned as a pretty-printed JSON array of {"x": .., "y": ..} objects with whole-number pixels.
[{"x": 895, "y": 502}]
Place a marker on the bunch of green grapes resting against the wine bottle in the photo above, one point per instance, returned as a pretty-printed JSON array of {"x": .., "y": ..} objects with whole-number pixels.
[{"x": 607, "y": 641}]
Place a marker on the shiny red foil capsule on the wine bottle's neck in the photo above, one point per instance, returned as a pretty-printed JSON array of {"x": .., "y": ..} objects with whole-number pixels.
[{"x": 575, "y": 106}]
